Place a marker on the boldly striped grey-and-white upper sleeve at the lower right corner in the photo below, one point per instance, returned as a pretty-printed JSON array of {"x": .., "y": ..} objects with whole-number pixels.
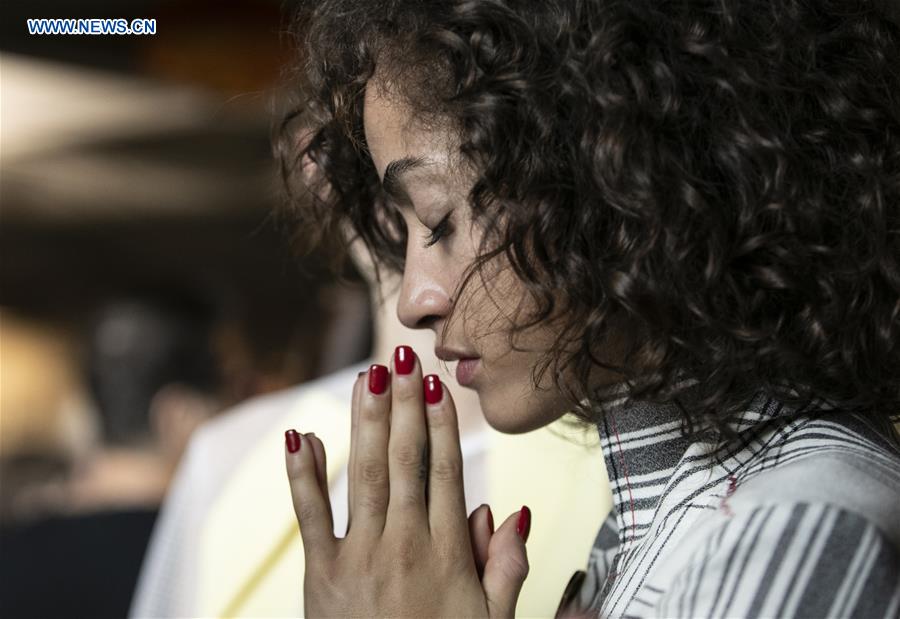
[{"x": 781, "y": 558}]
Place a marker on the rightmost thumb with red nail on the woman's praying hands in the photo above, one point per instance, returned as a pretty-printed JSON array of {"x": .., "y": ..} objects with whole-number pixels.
[{"x": 507, "y": 564}]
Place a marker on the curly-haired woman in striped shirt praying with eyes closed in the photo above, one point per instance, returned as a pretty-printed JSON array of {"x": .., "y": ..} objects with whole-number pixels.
[{"x": 677, "y": 220}]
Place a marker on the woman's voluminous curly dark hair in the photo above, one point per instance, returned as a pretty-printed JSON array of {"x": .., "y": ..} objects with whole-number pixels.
[{"x": 721, "y": 176}]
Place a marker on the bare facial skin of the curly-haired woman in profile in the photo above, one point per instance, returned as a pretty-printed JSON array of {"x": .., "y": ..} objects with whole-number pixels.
[{"x": 480, "y": 321}]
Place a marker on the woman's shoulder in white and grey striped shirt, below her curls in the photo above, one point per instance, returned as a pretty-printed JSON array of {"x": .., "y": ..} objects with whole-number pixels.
[{"x": 810, "y": 527}]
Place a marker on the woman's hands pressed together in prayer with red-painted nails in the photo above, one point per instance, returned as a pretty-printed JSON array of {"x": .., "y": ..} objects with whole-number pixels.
[{"x": 409, "y": 550}]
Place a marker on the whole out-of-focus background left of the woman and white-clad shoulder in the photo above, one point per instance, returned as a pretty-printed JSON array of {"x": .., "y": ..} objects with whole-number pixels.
[{"x": 144, "y": 285}]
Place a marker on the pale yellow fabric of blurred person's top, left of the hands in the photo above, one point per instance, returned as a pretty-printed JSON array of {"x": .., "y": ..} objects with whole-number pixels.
[{"x": 253, "y": 514}]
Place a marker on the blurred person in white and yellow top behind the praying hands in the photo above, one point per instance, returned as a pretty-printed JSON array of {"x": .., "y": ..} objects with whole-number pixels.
[{"x": 227, "y": 544}]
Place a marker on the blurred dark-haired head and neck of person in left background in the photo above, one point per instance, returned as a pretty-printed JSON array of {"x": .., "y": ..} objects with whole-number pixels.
[{"x": 155, "y": 379}]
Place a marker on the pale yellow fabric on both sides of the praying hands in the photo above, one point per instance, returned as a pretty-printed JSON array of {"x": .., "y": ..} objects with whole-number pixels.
[{"x": 251, "y": 562}]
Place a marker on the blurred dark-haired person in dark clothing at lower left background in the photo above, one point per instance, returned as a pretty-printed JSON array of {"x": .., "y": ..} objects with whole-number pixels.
[{"x": 154, "y": 379}]
